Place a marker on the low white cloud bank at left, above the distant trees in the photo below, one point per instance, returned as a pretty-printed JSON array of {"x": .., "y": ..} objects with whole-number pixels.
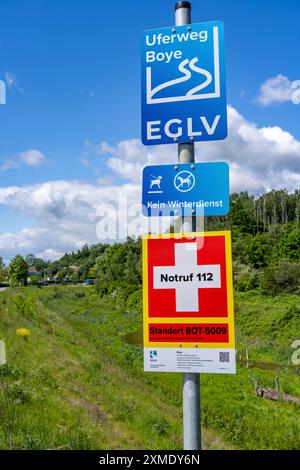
[{"x": 66, "y": 214}]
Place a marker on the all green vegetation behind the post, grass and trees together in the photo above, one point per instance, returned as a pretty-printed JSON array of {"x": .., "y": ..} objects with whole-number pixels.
[{"x": 88, "y": 342}]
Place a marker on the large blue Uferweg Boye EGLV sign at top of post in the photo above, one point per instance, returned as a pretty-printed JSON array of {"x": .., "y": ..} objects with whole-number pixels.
[{"x": 183, "y": 84}]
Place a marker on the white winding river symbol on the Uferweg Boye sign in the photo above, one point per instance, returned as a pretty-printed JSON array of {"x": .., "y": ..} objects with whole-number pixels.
[{"x": 186, "y": 76}]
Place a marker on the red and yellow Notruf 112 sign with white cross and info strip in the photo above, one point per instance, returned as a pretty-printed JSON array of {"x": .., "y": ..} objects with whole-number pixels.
[{"x": 188, "y": 303}]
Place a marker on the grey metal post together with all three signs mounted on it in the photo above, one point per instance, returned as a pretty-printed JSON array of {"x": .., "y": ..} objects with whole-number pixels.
[{"x": 183, "y": 101}]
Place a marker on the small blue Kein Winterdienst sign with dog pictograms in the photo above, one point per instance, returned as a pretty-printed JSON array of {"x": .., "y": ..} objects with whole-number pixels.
[{"x": 196, "y": 189}]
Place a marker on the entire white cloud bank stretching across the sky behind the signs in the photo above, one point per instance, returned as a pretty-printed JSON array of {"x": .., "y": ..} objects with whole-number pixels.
[{"x": 66, "y": 213}]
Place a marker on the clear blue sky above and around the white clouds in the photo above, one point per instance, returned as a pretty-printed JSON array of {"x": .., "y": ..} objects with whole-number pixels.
[{"x": 73, "y": 76}]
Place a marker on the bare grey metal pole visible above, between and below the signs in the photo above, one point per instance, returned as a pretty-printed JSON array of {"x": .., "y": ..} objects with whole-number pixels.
[{"x": 191, "y": 382}]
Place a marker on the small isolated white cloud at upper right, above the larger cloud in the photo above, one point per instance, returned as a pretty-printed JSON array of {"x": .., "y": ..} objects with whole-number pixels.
[{"x": 278, "y": 89}]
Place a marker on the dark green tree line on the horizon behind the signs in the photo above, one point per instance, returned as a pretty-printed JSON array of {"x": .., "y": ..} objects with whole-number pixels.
[{"x": 266, "y": 251}]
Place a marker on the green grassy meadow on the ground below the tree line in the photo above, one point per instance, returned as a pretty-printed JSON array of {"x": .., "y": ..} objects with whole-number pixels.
[{"x": 77, "y": 383}]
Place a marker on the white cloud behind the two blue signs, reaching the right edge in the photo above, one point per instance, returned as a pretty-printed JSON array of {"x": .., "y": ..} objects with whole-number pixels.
[{"x": 259, "y": 157}]
